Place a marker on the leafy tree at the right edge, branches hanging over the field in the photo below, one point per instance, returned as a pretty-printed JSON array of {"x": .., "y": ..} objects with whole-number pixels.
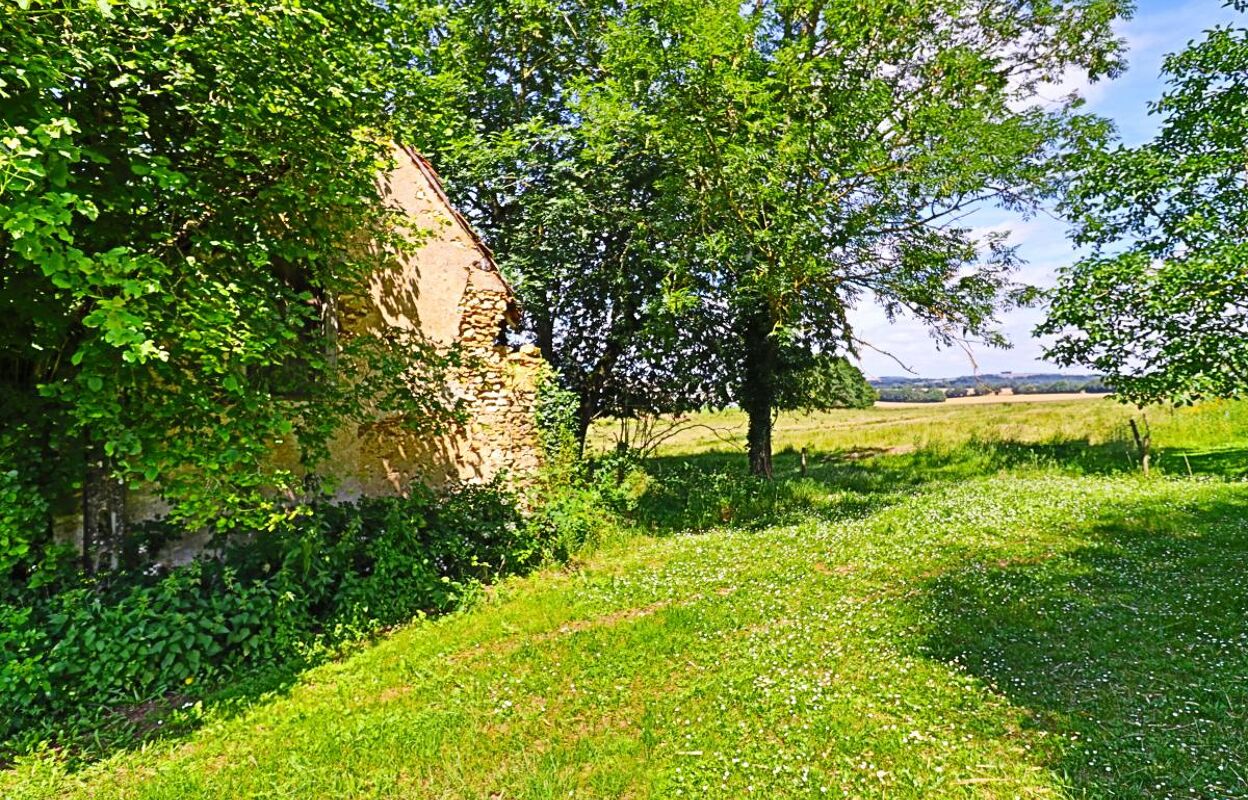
[{"x": 1160, "y": 306}]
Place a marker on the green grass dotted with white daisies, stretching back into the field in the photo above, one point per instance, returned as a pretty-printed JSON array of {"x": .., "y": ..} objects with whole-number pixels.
[{"x": 957, "y": 602}]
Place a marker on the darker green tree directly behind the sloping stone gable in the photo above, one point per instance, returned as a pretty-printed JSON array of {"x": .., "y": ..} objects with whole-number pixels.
[{"x": 563, "y": 198}]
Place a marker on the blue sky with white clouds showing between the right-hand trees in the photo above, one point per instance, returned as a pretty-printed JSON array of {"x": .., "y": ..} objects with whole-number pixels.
[{"x": 1159, "y": 28}]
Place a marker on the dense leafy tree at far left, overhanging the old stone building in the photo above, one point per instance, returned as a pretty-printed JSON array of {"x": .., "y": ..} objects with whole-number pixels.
[{"x": 184, "y": 189}]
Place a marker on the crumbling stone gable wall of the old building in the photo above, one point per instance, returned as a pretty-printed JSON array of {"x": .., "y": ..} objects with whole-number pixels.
[{"x": 451, "y": 291}]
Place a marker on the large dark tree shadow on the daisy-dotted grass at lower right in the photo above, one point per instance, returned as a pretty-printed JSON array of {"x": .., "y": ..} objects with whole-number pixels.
[{"x": 1134, "y": 648}]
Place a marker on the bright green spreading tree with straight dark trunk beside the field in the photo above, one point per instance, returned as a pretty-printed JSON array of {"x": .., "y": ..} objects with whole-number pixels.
[{"x": 821, "y": 155}]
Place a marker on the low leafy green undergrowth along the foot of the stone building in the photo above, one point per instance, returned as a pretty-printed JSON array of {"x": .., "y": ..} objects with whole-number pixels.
[{"x": 330, "y": 575}]
